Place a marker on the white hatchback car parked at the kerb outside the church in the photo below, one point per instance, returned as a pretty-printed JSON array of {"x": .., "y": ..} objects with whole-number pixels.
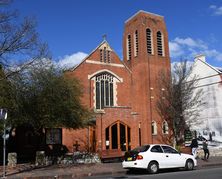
[{"x": 157, "y": 156}]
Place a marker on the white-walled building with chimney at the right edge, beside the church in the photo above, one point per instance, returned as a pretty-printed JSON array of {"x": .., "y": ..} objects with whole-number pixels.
[{"x": 209, "y": 122}]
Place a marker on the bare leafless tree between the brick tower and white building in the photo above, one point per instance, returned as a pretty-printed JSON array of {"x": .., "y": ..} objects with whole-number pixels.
[{"x": 179, "y": 100}]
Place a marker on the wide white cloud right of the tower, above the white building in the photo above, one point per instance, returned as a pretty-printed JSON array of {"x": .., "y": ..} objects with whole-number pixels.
[{"x": 188, "y": 48}]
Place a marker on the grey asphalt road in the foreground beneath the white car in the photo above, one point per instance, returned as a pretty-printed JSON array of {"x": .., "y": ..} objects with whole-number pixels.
[{"x": 206, "y": 173}]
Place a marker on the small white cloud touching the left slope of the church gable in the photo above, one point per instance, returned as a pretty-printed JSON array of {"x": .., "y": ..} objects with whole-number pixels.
[{"x": 69, "y": 61}]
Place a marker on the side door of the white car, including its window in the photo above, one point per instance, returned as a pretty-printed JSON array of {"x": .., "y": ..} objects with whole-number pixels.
[{"x": 173, "y": 157}]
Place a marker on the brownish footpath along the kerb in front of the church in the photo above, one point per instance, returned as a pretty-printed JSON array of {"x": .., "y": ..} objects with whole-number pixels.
[{"x": 27, "y": 171}]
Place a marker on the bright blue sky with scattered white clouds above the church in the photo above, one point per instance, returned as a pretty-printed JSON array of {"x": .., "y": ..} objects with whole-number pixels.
[{"x": 74, "y": 28}]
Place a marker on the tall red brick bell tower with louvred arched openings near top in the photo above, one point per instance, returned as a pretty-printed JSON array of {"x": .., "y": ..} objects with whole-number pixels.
[{"x": 146, "y": 53}]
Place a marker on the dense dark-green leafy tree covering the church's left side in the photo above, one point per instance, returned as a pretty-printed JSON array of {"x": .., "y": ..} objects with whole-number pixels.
[{"x": 46, "y": 99}]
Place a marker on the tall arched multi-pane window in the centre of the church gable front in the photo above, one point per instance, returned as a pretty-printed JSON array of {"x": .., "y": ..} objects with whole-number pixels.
[{"x": 104, "y": 90}]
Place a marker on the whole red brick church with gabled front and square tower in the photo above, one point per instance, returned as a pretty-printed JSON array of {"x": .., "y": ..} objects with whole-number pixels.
[{"x": 122, "y": 93}]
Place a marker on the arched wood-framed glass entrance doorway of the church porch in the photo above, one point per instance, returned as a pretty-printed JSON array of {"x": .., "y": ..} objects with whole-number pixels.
[{"x": 118, "y": 136}]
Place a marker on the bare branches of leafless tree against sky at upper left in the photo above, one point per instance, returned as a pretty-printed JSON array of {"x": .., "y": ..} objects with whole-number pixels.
[{"x": 20, "y": 45}]
